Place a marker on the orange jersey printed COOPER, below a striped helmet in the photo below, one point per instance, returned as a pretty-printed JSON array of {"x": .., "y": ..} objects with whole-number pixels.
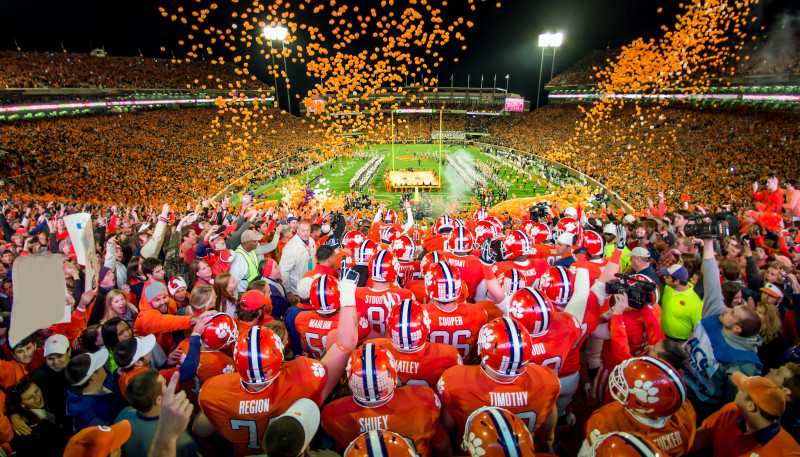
[{"x": 458, "y": 328}]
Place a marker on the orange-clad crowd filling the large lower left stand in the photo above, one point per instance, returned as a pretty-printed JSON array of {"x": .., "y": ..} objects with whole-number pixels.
[{"x": 143, "y": 156}]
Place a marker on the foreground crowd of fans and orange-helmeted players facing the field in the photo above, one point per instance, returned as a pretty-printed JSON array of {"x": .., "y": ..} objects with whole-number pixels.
[{"x": 223, "y": 330}]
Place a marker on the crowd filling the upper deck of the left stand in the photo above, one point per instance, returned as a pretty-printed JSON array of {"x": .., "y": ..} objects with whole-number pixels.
[{"x": 59, "y": 70}]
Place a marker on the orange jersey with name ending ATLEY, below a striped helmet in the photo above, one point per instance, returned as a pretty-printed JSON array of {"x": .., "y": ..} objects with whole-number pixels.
[{"x": 423, "y": 367}]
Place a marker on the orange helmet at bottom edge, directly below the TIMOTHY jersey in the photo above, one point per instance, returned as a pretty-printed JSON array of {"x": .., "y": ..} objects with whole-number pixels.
[{"x": 496, "y": 432}]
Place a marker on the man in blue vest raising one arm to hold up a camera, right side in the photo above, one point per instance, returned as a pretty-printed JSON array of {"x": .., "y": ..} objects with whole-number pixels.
[{"x": 724, "y": 341}]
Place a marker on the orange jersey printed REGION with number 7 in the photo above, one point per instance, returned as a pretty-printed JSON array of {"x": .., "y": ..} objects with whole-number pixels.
[{"x": 242, "y": 416}]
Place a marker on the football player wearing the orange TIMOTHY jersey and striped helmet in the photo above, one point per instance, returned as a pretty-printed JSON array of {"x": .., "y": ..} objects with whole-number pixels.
[{"x": 504, "y": 379}]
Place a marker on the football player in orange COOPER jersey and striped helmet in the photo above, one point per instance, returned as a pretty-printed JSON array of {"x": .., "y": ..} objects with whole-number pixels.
[{"x": 452, "y": 322}]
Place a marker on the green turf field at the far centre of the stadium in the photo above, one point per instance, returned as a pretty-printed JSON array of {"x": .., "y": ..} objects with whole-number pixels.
[{"x": 340, "y": 171}]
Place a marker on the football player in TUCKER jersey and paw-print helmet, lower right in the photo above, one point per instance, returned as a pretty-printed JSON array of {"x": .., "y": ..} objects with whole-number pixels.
[{"x": 651, "y": 402}]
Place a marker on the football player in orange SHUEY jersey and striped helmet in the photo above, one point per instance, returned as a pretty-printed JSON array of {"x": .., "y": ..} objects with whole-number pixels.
[{"x": 411, "y": 411}]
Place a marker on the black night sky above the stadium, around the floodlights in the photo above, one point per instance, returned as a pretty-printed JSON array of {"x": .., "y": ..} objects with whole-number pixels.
[{"x": 503, "y": 40}]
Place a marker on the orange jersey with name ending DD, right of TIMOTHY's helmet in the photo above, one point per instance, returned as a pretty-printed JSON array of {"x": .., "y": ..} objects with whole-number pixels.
[{"x": 552, "y": 349}]
